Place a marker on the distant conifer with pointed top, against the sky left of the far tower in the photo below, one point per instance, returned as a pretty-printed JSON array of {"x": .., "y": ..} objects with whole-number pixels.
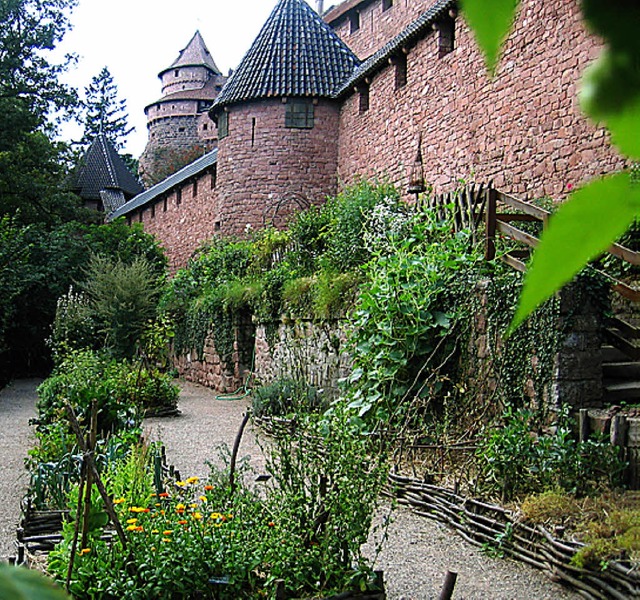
[{"x": 104, "y": 111}]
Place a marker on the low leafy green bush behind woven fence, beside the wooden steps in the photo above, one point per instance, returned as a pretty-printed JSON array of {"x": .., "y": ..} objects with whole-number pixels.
[{"x": 516, "y": 460}]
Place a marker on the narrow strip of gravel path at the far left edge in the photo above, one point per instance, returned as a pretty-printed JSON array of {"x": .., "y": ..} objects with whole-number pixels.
[{"x": 17, "y": 406}]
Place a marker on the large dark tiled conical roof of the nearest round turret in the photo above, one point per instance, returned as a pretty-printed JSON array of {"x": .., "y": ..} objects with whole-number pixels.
[{"x": 295, "y": 54}]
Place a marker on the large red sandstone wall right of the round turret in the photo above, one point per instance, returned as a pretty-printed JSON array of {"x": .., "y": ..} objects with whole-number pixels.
[{"x": 523, "y": 130}]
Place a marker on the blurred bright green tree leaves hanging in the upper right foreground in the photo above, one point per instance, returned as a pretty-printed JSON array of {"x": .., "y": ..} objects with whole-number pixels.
[{"x": 601, "y": 211}]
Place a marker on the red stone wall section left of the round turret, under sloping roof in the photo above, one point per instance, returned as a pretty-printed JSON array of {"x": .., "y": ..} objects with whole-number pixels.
[{"x": 184, "y": 227}]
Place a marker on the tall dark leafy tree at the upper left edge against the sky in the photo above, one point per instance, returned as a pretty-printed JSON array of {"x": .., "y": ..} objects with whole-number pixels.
[{"x": 31, "y": 97}]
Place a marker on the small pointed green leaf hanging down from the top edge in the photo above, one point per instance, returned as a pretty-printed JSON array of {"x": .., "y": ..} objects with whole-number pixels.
[{"x": 491, "y": 21}]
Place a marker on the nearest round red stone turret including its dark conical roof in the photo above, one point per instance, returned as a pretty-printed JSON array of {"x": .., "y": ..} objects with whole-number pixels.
[{"x": 278, "y": 120}]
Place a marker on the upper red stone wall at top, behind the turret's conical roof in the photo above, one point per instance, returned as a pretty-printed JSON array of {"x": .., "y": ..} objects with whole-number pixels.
[{"x": 377, "y": 27}]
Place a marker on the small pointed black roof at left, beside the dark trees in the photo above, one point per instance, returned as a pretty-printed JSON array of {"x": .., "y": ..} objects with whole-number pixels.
[{"x": 102, "y": 169}]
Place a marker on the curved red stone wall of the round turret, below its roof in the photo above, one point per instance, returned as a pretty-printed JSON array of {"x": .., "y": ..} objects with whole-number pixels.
[{"x": 267, "y": 171}]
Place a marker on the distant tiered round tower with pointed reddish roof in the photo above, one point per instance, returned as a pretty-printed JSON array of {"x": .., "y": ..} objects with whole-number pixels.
[{"x": 179, "y": 127}]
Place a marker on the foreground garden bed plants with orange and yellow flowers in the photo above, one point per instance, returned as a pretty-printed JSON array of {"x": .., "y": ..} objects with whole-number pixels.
[{"x": 307, "y": 528}]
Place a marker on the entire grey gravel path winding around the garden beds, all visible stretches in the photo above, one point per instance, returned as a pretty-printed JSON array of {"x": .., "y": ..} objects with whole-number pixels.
[{"x": 415, "y": 557}]
